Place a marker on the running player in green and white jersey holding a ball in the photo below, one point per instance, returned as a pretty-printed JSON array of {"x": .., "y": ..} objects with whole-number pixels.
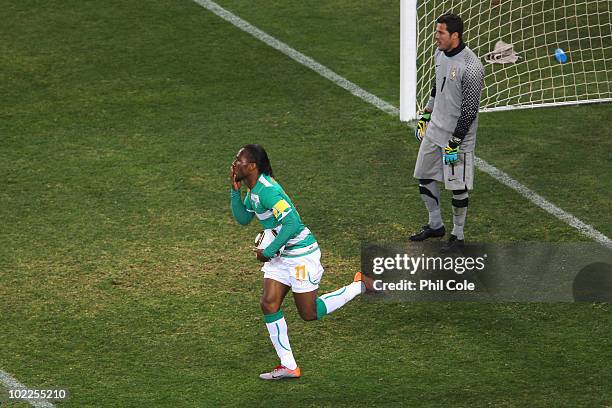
[{"x": 298, "y": 267}]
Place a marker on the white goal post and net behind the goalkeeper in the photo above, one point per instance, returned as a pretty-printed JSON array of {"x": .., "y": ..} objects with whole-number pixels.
[{"x": 535, "y": 29}]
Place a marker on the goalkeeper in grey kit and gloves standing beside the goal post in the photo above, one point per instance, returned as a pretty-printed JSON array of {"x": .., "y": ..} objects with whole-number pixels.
[{"x": 447, "y": 131}]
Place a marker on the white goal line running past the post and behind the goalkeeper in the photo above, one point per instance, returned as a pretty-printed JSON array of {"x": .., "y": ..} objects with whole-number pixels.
[{"x": 356, "y": 90}]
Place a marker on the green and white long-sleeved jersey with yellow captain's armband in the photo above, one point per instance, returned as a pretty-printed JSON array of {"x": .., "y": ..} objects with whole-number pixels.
[{"x": 268, "y": 202}]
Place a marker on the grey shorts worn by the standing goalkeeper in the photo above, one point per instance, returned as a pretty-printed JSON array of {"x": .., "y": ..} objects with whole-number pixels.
[{"x": 456, "y": 176}]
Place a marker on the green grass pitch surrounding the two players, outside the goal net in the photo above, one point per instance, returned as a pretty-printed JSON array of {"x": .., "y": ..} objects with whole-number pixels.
[{"x": 124, "y": 278}]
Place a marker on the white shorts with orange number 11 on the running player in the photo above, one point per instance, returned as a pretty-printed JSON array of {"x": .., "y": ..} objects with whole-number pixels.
[{"x": 301, "y": 274}]
